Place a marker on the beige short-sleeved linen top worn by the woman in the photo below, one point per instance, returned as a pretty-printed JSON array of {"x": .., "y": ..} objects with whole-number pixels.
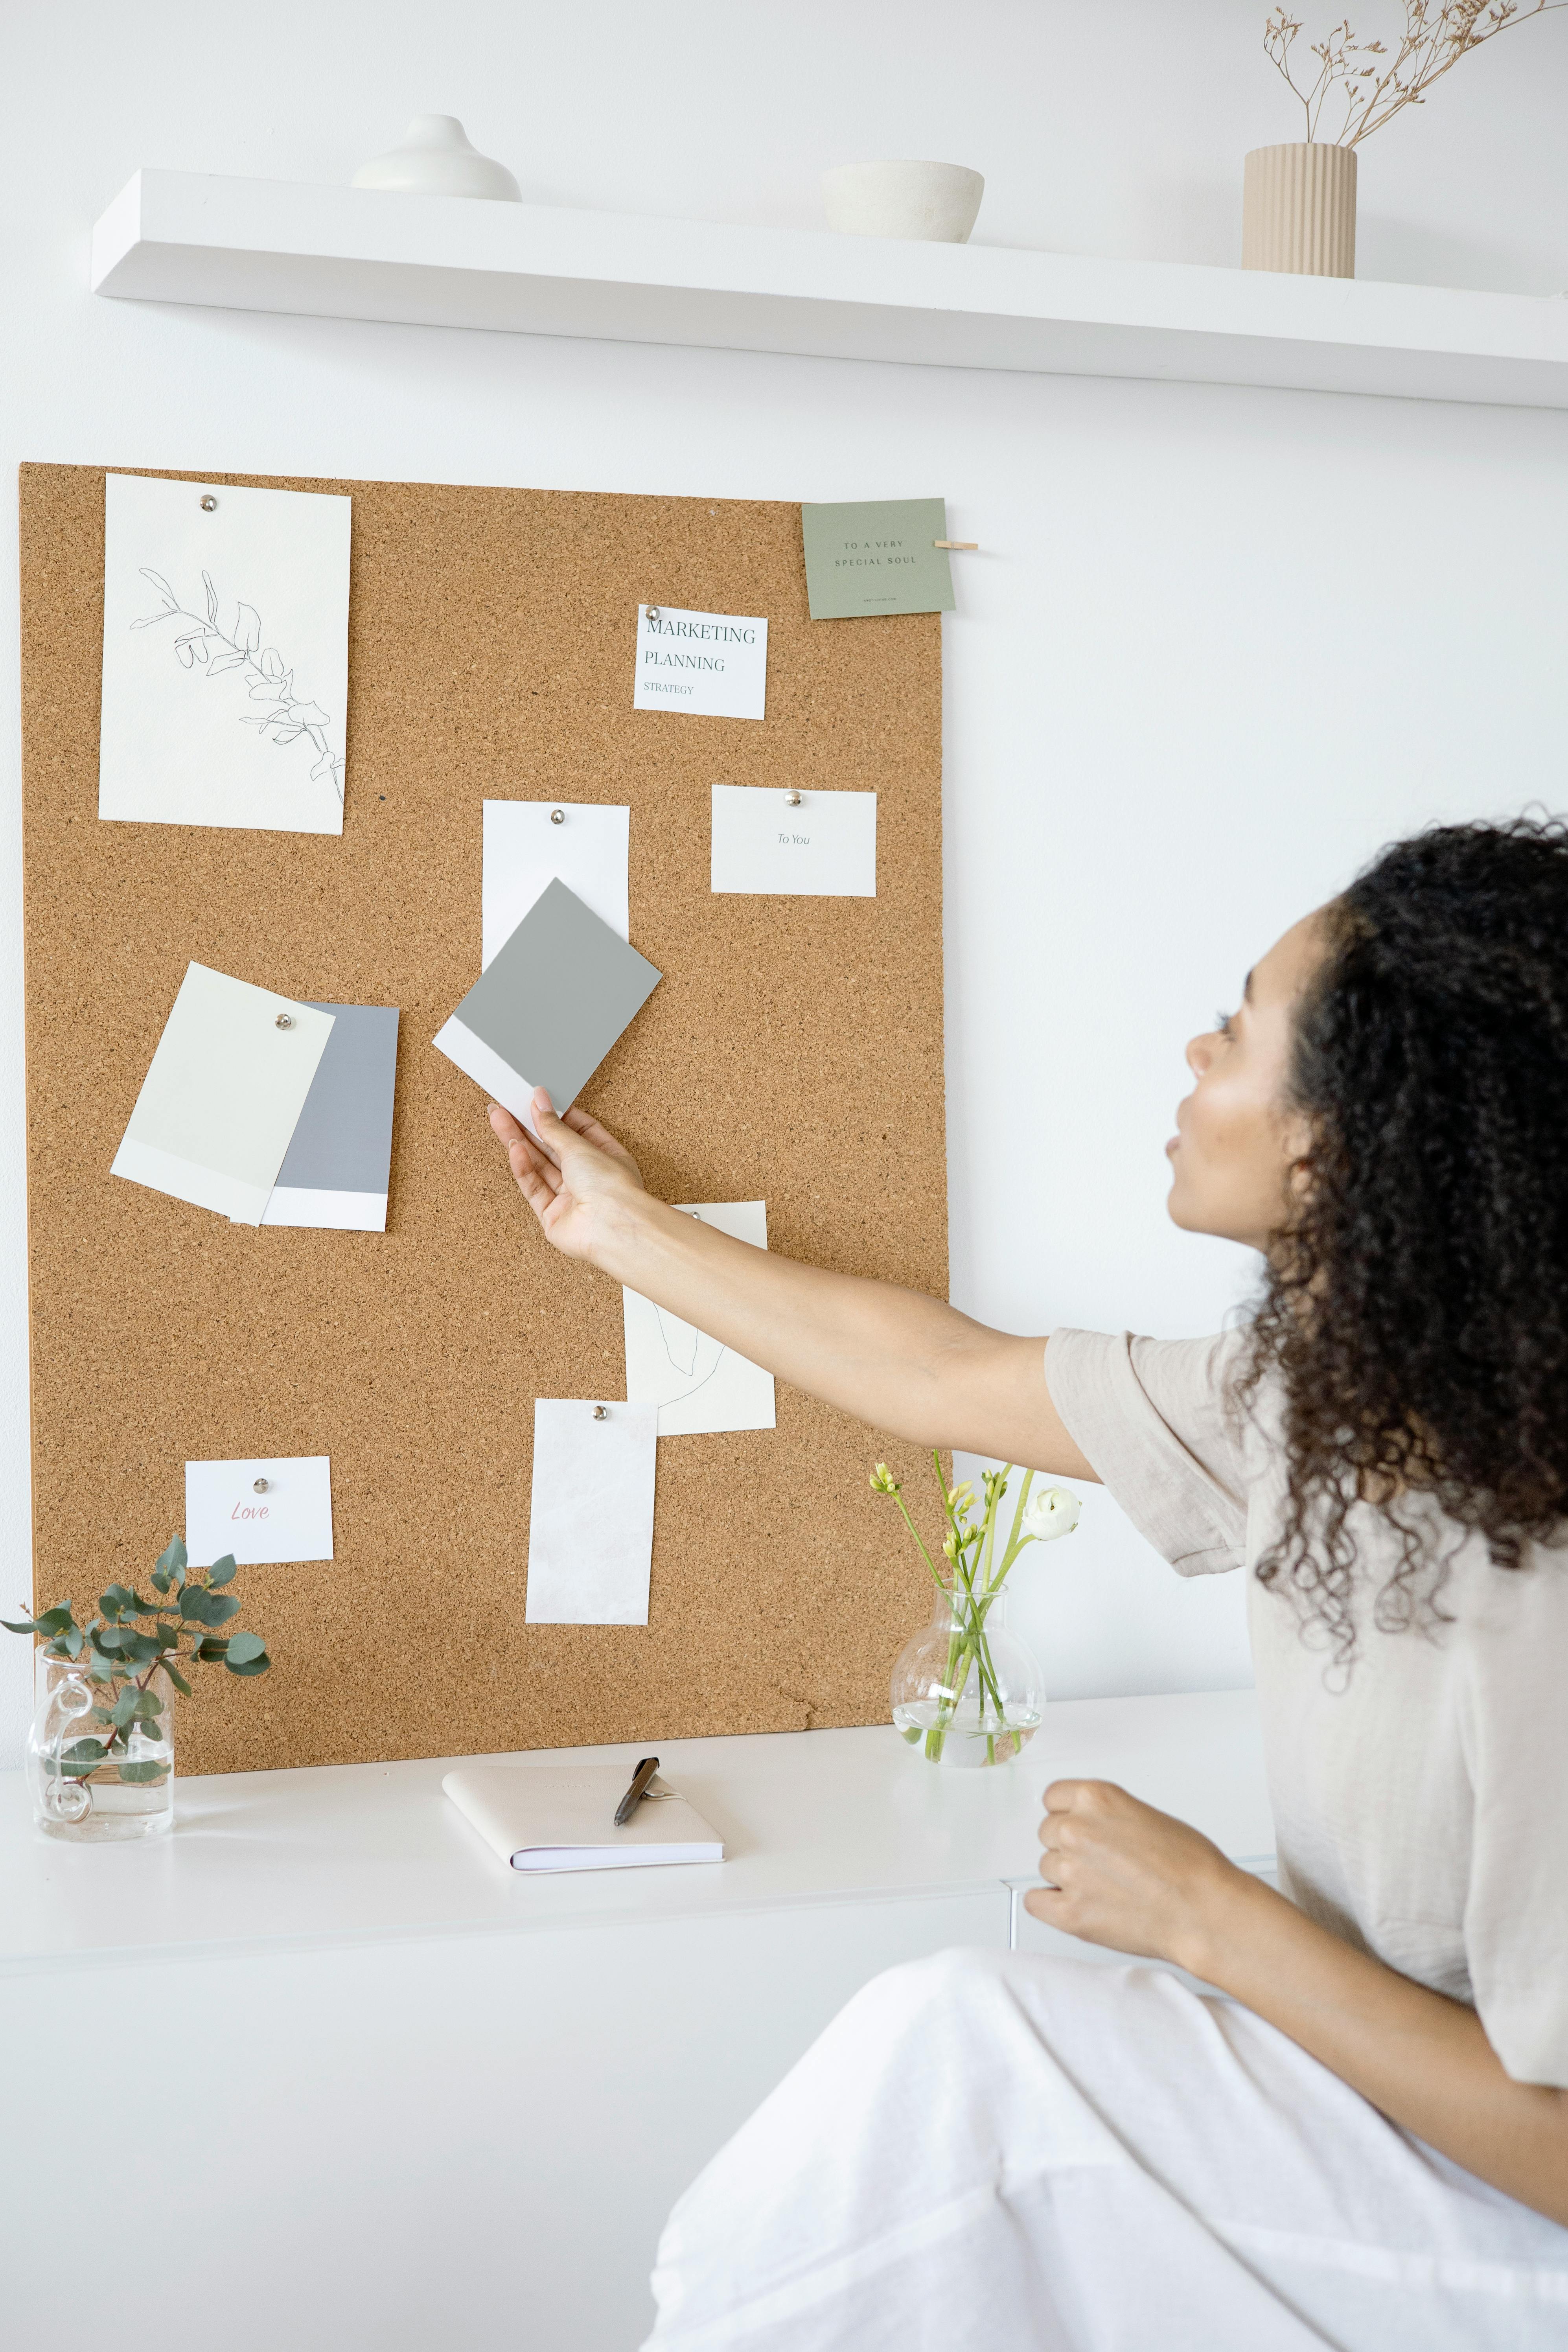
[{"x": 1421, "y": 1805}]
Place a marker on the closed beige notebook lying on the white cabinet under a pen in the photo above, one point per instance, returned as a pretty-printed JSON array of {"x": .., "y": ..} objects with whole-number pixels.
[{"x": 563, "y": 1817}]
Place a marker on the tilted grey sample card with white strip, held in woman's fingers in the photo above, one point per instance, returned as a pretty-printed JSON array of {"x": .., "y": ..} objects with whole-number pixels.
[{"x": 549, "y": 1008}]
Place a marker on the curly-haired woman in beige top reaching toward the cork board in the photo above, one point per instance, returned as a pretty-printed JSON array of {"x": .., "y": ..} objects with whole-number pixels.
[{"x": 1365, "y": 2139}]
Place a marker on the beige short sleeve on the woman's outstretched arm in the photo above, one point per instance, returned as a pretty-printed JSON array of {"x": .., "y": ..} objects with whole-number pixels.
[{"x": 1160, "y": 1431}]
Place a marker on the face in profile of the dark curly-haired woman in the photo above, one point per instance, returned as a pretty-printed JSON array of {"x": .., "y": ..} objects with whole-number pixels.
[{"x": 1238, "y": 1144}]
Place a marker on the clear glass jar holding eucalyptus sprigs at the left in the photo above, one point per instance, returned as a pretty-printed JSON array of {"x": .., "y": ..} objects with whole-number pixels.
[{"x": 83, "y": 1789}]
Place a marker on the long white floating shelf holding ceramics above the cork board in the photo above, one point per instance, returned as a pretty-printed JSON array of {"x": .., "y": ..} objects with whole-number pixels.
[{"x": 532, "y": 269}]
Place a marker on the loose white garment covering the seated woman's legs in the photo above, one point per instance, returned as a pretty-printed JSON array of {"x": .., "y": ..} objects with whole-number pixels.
[{"x": 996, "y": 2153}]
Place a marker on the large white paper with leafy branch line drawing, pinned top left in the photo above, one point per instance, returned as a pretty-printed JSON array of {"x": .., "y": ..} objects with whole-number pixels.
[{"x": 225, "y": 655}]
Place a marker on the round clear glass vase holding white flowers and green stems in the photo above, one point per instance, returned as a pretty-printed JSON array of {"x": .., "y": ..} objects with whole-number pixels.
[{"x": 967, "y": 1690}]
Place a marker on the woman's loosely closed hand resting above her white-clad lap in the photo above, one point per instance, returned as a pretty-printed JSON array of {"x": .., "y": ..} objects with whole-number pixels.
[{"x": 1132, "y": 1878}]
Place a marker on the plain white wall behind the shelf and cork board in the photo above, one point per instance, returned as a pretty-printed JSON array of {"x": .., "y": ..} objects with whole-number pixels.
[{"x": 1219, "y": 643}]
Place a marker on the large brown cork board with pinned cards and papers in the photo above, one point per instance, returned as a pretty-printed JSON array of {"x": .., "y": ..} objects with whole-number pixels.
[{"x": 793, "y": 1053}]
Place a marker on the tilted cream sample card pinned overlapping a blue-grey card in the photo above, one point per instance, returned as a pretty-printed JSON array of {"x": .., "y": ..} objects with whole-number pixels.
[{"x": 225, "y": 1095}]
